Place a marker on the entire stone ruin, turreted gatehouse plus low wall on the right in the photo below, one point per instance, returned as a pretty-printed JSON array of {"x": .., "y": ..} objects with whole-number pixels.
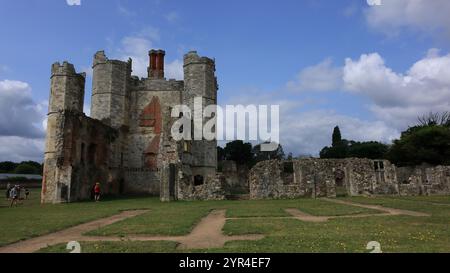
[{"x": 126, "y": 144}]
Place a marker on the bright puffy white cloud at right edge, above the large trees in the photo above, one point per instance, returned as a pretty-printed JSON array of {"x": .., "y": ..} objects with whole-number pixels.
[{"x": 399, "y": 98}]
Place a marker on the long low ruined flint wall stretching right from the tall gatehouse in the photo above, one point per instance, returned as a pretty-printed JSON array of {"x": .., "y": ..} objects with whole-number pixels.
[{"x": 352, "y": 176}]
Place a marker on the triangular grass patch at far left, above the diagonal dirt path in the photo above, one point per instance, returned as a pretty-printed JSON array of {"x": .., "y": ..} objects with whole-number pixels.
[{"x": 31, "y": 219}]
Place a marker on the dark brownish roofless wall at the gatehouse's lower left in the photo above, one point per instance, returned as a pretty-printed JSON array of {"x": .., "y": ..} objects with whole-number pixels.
[{"x": 80, "y": 159}]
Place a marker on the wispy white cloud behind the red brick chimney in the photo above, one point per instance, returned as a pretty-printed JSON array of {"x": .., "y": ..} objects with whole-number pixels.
[{"x": 137, "y": 46}]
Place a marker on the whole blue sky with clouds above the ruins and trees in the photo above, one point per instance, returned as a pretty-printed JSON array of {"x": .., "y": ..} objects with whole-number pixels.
[{"x": 325, "y": 62}]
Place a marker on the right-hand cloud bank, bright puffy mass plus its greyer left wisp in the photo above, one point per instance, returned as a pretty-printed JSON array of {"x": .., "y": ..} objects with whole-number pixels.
[{"x": 396, "y": 98}]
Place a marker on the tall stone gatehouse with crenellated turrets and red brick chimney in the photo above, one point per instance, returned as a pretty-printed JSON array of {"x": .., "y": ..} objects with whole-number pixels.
[{"x": 126, "y": 144}]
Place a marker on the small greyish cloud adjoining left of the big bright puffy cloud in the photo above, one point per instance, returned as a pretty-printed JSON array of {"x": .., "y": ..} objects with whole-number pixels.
[{"x": 320, "y": 77}]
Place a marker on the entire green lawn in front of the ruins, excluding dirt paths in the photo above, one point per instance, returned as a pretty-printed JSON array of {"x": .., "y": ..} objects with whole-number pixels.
[{"x": 395, "y": 233}]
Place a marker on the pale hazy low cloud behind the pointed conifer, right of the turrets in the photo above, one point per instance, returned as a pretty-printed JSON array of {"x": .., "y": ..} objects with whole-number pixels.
[{"x": 307, "y": 132}]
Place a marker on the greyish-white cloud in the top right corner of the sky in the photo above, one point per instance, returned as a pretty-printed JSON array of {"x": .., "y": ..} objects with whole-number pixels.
[{"x": 392, "y": 16}]
